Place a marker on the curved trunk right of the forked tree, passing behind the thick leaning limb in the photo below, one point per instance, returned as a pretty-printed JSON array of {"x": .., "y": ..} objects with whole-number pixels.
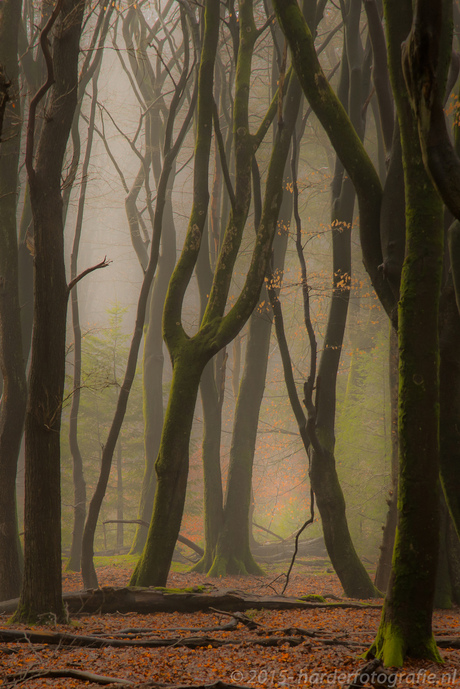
[{"x": 323, "y": 474}]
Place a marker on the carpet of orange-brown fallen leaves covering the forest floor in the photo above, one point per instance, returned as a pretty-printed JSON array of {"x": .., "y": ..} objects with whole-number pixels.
[{"x": 328, "y": 656}]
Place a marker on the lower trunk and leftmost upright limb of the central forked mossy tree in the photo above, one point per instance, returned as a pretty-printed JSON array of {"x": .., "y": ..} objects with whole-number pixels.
[{"x": 173, "y": 458}]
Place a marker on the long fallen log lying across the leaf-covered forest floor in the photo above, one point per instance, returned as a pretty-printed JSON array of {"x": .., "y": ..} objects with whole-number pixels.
[{"x": 150, "y": 600}]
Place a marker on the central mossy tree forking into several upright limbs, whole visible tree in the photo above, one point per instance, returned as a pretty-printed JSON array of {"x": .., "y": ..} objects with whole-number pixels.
[{"x": 216, "y": 330}]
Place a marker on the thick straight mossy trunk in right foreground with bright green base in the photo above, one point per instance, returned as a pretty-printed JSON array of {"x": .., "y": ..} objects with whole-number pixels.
[{"x": 405, "y": 628}]
